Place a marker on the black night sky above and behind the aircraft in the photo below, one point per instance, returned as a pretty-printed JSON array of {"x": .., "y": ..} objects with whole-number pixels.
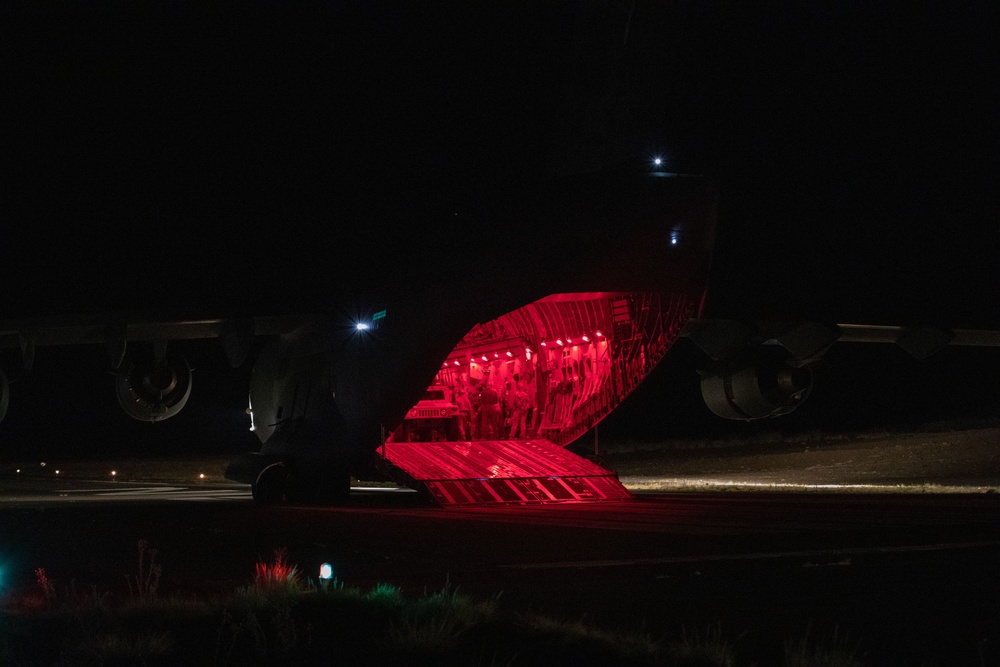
[{"x": 178, "y": 154}]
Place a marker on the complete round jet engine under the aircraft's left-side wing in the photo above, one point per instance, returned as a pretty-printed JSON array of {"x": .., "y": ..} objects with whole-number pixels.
[{"x": 151, "y": 390}]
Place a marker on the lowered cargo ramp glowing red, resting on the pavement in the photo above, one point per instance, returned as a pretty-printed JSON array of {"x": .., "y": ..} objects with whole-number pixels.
[{"x": 500, "y": 472}]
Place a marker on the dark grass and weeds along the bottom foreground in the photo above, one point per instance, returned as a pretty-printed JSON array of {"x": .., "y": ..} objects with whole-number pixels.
[{"x": 284, "y": 618}]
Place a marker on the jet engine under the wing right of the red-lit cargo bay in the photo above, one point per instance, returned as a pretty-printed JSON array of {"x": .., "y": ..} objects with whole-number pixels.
[{"x": 758, "y": 388}]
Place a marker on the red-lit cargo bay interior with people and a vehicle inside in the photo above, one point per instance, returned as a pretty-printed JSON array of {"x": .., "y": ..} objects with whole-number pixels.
[{"x": 551, "y": 369}]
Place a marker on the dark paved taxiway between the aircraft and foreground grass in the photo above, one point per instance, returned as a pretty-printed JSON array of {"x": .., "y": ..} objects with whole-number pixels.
[{"x": 906, "y": 575}]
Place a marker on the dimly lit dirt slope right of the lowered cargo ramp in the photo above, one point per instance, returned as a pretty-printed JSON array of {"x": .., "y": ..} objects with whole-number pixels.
[{"x": 965, "y": 460}]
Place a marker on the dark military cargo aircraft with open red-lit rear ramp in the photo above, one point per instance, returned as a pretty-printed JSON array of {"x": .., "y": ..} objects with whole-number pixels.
[{"x": 472, "y": 388}]
